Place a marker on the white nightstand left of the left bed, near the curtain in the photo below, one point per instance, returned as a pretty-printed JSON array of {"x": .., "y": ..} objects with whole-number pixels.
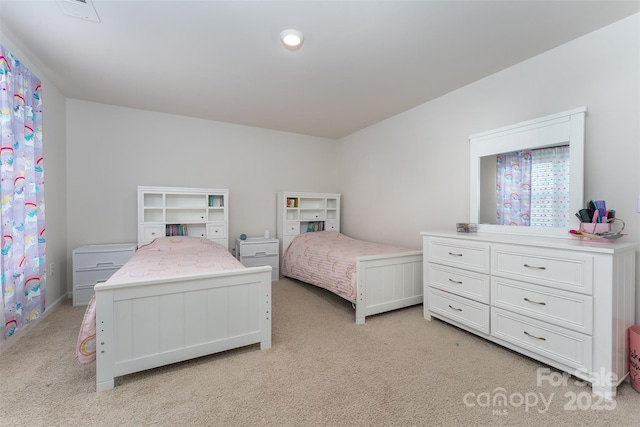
[{"x": 93, "y": 264}]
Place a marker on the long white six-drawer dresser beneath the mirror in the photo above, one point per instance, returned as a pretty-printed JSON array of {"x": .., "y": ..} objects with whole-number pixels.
[{"x": 563, "y": 302}]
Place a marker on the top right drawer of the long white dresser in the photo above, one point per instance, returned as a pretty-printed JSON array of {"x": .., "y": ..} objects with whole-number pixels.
[{"x": 557, "y": 269}]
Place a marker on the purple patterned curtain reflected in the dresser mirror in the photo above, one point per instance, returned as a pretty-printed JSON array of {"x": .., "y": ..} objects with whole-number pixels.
[{"x": 513, "y": 186}]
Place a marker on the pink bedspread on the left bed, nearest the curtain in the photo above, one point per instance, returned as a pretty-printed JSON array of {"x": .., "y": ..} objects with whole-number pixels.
[{"x": 164, "y": 257}]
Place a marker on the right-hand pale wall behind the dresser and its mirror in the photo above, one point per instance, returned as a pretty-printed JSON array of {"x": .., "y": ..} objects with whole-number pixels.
[{"x": 410, "y": 173}]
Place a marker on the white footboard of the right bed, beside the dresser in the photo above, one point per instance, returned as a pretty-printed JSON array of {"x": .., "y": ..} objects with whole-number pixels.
[{"x": 388, "y": 282}]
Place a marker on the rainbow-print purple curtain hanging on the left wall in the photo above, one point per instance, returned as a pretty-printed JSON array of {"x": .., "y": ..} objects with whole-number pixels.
[{"x": 22, "y": 255}]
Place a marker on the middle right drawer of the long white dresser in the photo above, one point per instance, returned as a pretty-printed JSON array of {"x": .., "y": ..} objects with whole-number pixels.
[{"x": 566, "y": 309}]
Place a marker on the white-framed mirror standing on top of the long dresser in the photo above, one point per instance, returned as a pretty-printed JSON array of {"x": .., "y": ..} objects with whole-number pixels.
[{"x": 561, "y": 135}]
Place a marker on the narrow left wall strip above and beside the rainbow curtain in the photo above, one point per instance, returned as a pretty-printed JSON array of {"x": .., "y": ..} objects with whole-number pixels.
[{"x": 54, "y": 134}]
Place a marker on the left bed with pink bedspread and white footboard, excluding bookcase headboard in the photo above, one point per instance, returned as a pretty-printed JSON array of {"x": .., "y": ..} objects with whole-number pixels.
[{"x": 176, "y": 299}]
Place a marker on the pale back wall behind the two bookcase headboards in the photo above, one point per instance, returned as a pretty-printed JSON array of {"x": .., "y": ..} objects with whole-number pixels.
[{"x": 111, "y": 150}]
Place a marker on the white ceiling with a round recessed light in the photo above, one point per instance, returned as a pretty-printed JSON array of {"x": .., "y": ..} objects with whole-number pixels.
[{"x": 361, "y": 62}]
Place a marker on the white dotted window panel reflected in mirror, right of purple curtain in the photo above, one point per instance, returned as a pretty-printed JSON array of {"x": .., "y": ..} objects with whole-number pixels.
[{"x": 550, "y": 187}]
